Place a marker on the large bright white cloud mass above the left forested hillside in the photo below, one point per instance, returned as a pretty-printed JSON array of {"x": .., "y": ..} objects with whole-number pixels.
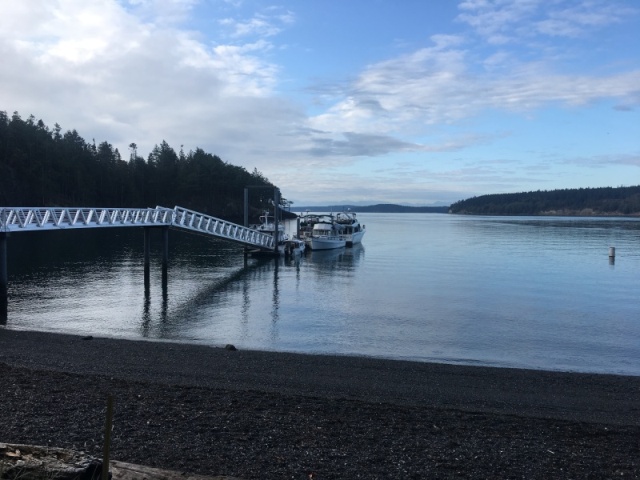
[{"x": 101, "y": 68}]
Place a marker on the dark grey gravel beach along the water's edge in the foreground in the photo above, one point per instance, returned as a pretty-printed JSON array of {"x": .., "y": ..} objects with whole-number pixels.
[{"x": 262, "y": 415}]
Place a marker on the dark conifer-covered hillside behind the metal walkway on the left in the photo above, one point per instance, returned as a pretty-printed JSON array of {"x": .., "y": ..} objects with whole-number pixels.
[{"x": 40, "y": 166}]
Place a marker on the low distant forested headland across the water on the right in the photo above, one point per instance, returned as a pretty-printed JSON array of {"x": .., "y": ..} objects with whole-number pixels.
[{"x": 582, "y": 201}]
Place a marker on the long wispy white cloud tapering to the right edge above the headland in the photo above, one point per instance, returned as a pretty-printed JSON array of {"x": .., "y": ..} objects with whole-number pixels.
[{"x": 435, "y": 86}]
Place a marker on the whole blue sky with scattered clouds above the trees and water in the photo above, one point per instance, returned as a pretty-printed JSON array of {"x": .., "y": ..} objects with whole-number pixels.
[{"x": 412, "y": 102}]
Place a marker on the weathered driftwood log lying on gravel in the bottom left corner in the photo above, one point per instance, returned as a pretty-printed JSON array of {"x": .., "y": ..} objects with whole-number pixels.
[{"x": 30, "y": 462}]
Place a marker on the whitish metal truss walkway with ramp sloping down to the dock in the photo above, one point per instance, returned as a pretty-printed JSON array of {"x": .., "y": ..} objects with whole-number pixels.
[{"x": 29, "y": 219}]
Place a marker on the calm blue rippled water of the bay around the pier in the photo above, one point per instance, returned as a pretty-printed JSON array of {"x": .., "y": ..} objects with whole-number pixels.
[{"x": 503, "y": 291}]
